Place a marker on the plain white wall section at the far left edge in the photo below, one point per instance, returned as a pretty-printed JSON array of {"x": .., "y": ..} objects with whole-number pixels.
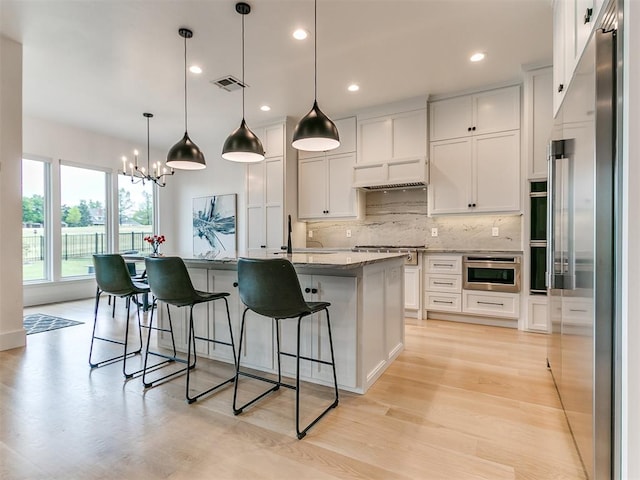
[{"x": 11, "y": 331}]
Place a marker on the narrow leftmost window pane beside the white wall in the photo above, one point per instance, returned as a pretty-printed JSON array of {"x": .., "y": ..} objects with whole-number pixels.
[{"x": 34, "y": 242}]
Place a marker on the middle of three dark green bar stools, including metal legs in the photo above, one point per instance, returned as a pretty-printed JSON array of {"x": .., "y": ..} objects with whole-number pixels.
[{"x": 170, "y": 283}]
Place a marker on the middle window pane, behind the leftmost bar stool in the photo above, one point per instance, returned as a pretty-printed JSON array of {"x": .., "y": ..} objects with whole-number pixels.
[{"x": 84, "y": 217}]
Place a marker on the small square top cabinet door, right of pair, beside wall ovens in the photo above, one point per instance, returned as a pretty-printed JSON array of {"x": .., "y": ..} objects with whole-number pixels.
[{"x": 496, "y": 110}]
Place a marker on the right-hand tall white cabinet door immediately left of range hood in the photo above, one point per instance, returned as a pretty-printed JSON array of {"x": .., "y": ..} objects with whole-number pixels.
[{"x": 341, "y": 196}]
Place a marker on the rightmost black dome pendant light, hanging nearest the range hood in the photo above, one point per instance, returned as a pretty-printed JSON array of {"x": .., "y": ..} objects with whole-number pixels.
[{"x": 315, "y": 131}]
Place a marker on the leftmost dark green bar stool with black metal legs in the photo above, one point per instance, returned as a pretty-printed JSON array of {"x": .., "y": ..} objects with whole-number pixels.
[{"x": 112, "y": 278}]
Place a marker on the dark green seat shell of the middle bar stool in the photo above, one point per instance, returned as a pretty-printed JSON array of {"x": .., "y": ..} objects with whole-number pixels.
[{"x": 169, "y": 280}]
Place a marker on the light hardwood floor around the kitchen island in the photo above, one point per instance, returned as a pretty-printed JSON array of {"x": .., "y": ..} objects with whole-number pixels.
[{"x": 461, "y": 402}]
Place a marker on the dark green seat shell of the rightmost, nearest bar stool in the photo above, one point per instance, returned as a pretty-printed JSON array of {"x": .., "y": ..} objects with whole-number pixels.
[{"x": 270, "y": 287}]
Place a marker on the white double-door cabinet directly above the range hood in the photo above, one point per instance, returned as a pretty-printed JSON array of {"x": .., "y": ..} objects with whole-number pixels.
[{"x": 393, "y": 137}]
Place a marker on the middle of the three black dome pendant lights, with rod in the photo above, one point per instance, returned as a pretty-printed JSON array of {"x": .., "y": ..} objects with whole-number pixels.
[{"x": 243, "y": 145}]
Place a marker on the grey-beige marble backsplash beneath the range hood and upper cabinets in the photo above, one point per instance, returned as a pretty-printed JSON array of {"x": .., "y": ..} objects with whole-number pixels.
[{"x": 400, "y": 218}]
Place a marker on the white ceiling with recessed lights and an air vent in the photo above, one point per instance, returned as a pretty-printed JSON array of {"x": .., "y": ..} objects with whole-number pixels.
[{"x": 100, "y": 64}]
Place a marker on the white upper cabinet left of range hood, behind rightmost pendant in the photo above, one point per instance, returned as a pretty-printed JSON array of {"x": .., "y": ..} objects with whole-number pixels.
[{"x": 325, "y": 185}]
